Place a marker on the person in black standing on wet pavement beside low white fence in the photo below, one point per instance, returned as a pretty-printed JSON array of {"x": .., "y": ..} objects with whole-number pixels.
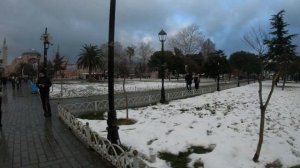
[{"x": 44, "y": 85}]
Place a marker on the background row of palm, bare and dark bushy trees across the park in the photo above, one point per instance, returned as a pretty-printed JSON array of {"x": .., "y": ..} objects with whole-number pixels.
[{"x": 192, "y": 53}]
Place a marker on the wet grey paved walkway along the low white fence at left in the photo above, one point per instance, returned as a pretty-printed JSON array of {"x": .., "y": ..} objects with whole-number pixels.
[{"x": 27, "y": 139}]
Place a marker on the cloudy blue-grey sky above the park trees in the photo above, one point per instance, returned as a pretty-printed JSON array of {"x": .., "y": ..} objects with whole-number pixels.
[{"x": 73, "y": 23}]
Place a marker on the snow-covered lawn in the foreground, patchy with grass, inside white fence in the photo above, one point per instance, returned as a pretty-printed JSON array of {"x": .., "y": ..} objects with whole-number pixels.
[{"x": 226, "y": 121}]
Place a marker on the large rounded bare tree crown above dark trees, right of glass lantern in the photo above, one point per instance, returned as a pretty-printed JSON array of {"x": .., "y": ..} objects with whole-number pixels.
[{"x": 189, "y": 40}]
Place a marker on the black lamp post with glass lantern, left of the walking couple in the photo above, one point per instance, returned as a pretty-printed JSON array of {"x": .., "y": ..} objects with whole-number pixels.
[{"x": 162, "y": 35}]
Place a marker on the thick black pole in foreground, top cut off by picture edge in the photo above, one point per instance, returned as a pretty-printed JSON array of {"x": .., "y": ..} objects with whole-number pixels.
[{"x": 112, "y": 127}]
